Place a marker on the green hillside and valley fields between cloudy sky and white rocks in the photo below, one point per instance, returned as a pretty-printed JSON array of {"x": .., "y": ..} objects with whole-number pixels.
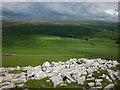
[{"x": 38, "y": 37}]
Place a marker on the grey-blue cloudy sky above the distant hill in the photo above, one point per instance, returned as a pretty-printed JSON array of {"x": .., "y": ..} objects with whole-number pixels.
[{"x": 60, "y": 10}]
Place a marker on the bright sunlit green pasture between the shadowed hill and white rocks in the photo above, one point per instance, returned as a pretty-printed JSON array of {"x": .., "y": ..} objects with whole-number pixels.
[{"x": 50, "y": 45}]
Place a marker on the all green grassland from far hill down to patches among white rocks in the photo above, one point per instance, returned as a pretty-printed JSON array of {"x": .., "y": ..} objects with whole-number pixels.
[{"x": 80, "y": 39}]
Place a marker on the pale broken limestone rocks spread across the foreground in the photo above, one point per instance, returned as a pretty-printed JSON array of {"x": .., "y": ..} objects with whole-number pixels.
[{"x": 71, "y": 71}]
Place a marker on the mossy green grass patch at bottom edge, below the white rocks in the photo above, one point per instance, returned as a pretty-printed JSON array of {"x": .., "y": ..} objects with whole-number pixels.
[{"x": 43, "y": 84}]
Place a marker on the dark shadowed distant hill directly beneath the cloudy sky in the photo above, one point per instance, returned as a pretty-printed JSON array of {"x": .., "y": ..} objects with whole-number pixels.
[{"x": 63, "y": 28}]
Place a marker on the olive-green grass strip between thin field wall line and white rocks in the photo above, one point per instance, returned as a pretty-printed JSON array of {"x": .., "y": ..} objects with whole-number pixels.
[{"x": 22, "y": 61}]
